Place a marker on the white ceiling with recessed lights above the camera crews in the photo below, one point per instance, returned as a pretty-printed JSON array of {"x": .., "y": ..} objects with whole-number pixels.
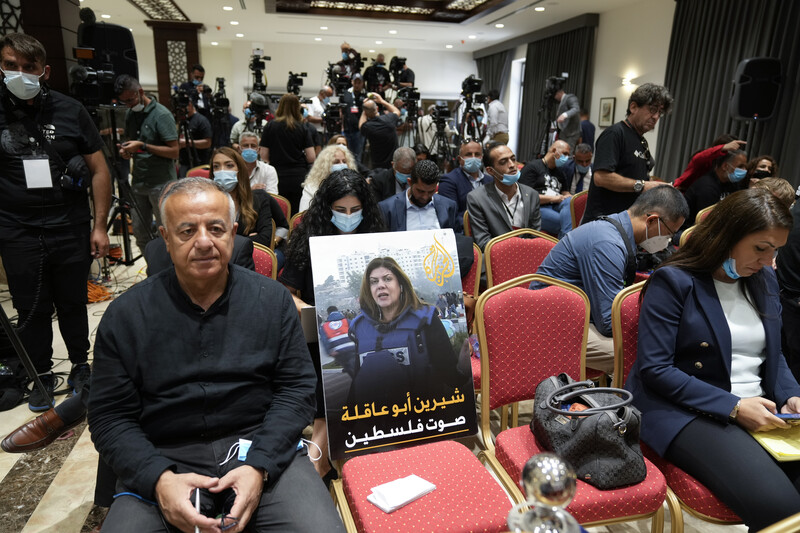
[{"x": 364, "y": 34}]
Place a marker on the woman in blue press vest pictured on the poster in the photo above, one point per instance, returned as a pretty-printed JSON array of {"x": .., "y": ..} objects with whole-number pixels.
[{"x": 401, "y": 343}]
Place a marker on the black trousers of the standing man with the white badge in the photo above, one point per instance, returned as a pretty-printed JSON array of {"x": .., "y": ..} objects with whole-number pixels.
[{"x": 46, "y": 269}]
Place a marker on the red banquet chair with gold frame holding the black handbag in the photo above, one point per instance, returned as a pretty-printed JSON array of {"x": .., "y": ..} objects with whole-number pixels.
[{"x": 537, "y": 334}]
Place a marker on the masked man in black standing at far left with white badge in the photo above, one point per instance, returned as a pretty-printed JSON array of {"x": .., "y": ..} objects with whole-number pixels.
[{"x": 50, "y": 158}]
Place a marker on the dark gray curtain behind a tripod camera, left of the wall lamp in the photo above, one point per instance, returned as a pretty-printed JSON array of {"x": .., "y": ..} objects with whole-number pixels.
[{"x": 571, "y": 52}]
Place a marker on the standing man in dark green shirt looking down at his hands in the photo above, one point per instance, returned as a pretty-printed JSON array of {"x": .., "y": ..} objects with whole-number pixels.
[{"x": 153, "y": 147}]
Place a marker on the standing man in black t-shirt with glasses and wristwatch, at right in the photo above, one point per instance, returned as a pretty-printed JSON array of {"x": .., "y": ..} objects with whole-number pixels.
[{"x": 622, "y": 160}]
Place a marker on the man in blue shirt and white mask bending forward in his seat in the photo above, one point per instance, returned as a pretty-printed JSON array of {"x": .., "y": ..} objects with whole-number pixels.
[{"x": 600, "y": 257}]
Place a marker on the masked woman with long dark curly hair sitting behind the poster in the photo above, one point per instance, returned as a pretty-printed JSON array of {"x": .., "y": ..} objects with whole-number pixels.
[{"x": 343, "y": 204}]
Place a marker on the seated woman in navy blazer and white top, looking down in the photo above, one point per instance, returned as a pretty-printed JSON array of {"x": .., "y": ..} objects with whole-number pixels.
[{"x": 681, "y": 380}]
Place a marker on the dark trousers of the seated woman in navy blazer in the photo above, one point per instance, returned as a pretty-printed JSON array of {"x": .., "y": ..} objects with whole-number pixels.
[{"x": 734, "y": 466}]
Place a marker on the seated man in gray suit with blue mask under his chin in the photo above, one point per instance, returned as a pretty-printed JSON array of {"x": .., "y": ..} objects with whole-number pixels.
[{"x": 504, "y": 205}]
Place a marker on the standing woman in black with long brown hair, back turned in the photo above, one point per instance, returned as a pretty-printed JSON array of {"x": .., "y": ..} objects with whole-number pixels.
[{"x": 287, "y": 145}]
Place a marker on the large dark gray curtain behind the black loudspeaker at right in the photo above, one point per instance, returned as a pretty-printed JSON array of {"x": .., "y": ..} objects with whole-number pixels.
[{"x": 709, "y": 39}]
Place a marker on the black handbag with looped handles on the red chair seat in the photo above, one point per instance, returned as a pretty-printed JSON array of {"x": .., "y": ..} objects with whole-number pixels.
[{"x": 595, "y": 429}]
